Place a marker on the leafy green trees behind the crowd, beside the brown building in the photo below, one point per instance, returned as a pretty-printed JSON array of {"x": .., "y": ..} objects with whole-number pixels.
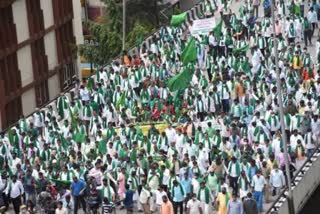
[{"x": 141, "y": 18}]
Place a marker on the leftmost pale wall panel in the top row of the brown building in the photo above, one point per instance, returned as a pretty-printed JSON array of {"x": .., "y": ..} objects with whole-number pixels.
[{"x": 21, "y": 20}]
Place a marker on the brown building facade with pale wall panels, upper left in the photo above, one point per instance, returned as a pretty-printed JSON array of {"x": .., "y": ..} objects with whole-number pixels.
[{"x": 37, "y": 53}]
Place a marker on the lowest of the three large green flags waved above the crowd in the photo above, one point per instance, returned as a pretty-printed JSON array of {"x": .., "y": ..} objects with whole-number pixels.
[{"x": 181, "y": 80}]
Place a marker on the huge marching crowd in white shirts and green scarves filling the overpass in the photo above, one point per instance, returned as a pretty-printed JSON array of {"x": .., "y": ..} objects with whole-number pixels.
[{"x": 214, "y": 145}]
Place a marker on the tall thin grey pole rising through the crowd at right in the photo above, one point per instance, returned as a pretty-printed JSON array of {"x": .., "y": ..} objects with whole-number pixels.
[{"x": 280, "y": 101}]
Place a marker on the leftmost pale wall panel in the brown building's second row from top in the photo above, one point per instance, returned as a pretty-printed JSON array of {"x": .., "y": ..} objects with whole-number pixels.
[{"x": 25, "y": 65}]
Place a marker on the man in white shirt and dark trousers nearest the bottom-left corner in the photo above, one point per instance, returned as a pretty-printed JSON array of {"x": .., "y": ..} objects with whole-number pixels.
[{"x": 15, "y": 190}]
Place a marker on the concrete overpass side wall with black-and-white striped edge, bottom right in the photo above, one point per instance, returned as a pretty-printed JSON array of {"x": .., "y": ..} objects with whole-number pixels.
[{"x": 304, "y": 183}]
